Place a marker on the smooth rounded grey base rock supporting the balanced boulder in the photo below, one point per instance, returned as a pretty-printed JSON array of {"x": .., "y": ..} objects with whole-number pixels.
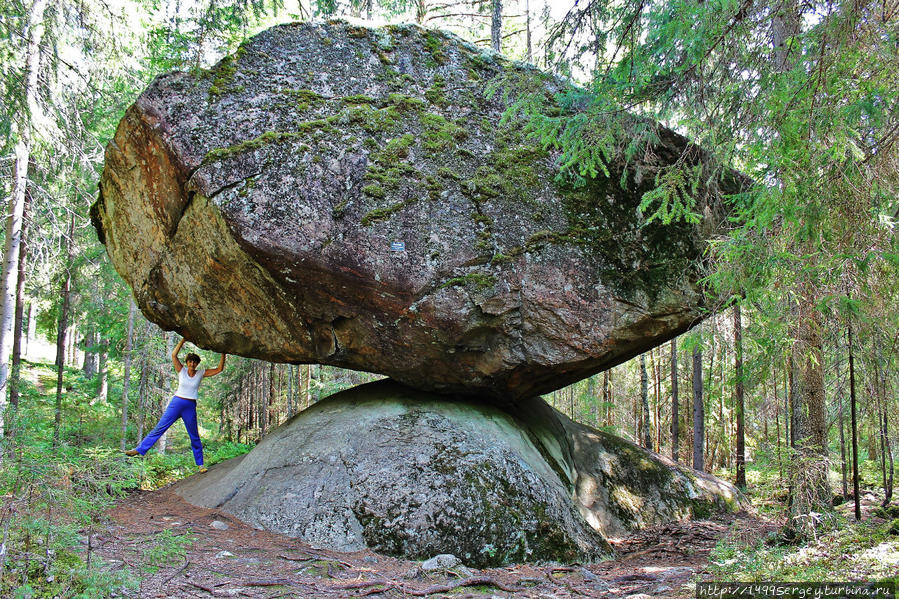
[{"x": 410, "y": 473}]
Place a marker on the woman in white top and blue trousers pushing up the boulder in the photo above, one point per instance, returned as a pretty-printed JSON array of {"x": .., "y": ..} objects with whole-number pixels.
[{"x": 183, "y": 405}]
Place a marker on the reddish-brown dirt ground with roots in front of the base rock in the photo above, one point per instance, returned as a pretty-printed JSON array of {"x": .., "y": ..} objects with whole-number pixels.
[{"x": 226, "y": 558}]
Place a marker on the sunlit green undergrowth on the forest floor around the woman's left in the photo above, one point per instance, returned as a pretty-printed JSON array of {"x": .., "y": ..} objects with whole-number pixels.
[{"x": 55, "y": 495}]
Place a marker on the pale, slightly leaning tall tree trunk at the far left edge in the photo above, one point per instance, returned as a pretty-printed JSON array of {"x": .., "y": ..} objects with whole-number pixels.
[{"x": 22, "y": 153}]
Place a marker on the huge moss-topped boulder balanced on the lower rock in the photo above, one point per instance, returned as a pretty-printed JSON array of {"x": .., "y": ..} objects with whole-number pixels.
[{"x": 255, "y": 208}]
